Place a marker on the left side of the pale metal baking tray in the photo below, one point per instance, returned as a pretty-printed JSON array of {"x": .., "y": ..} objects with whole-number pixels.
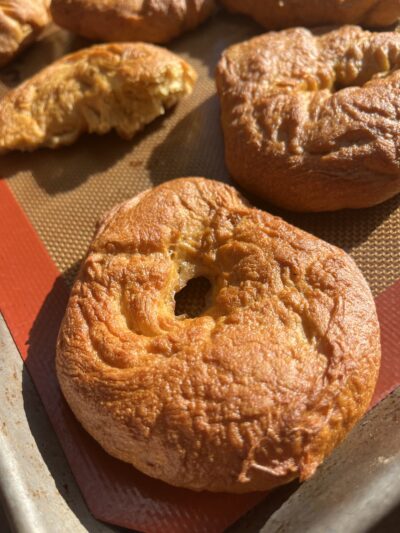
[{"x": 37, "y": 488}]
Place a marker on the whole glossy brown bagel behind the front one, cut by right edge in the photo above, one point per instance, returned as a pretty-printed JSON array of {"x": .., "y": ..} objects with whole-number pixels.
[{"x": 311, "y": 122}]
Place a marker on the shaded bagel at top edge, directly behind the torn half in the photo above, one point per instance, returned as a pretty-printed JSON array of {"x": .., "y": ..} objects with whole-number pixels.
[{"x": 156, "y": 21}]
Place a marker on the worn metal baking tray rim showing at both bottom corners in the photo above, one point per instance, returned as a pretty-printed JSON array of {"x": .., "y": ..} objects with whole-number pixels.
[{"x": 356, "y": 490}]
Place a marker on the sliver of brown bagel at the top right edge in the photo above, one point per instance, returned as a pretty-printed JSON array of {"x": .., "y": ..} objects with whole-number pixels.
[{"x": 279, "y": 14}]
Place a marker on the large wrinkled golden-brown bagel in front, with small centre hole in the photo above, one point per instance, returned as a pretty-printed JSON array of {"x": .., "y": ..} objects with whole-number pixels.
[{"x": 255, "y": 391}]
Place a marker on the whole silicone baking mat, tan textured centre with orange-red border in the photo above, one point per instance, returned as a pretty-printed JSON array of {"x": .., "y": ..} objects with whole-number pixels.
[{"x": 62, "y": 194}]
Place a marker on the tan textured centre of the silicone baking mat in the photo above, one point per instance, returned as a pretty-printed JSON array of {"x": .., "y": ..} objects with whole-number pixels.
[{"x": 65, "y": 191}]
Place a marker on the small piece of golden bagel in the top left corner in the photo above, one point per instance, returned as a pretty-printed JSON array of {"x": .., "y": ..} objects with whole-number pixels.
[{"x": 21, "y": 21}]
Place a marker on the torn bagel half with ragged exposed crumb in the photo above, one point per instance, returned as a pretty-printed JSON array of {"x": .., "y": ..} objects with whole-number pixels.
[{"x": 121, "y": 86}]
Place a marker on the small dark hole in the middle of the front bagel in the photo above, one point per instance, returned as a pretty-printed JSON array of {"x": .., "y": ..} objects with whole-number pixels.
[{"x": 193, "y": 299}]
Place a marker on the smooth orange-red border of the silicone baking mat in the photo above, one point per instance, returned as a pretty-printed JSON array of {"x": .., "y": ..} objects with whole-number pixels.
[{"x": 33, "y": 297}]
